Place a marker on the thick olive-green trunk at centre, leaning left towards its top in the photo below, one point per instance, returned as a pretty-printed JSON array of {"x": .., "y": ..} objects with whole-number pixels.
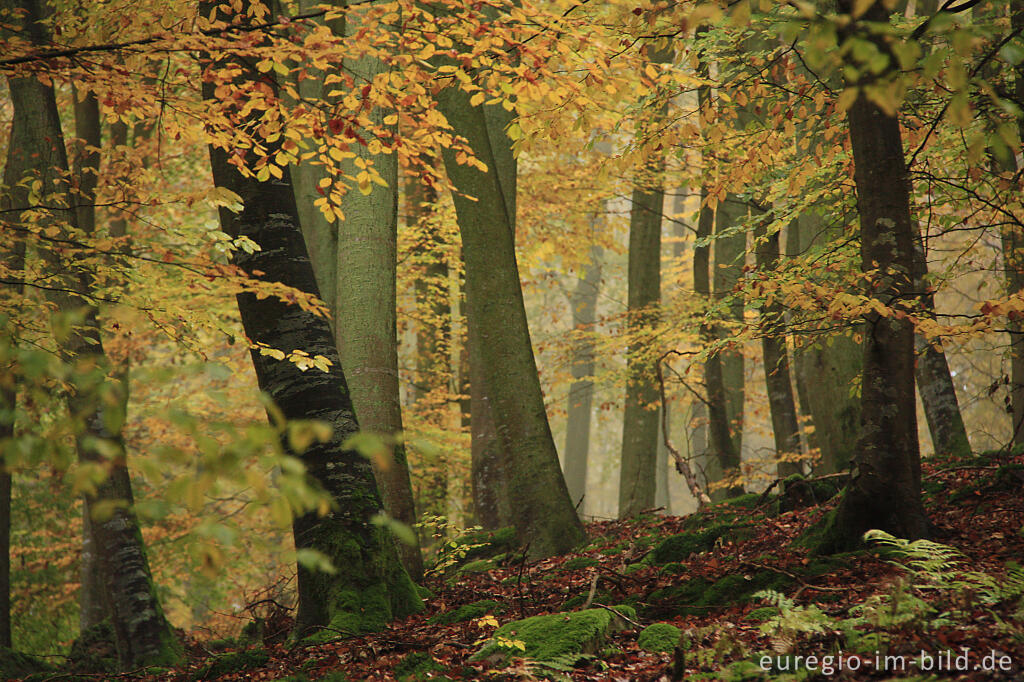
[{"x": 543, "y": 514}]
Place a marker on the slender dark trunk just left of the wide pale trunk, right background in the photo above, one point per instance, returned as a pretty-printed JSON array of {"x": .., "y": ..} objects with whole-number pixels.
[{"x": 780, "y": 388}]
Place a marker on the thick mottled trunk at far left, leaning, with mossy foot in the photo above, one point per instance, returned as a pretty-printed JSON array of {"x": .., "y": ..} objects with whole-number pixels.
[{"x": 142, "y": 633}]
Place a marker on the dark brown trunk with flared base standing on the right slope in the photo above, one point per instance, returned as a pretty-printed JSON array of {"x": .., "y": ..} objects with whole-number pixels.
[{"x": 885, "y": 488}]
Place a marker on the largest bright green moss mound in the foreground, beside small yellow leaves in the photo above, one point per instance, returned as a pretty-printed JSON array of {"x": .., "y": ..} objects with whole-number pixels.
[{"x": 556, "y": 635}]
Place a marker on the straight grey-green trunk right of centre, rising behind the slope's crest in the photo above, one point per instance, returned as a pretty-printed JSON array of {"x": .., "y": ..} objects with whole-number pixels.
[{"x": 637, "y": 479}]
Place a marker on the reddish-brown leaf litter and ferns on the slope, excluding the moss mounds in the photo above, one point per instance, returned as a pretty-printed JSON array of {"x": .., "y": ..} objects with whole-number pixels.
[{"x": 868, "y": 601}]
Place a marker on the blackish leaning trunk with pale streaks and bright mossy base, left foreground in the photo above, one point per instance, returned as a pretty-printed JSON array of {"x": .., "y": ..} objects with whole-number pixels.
[{"x": 371, "y": 586}]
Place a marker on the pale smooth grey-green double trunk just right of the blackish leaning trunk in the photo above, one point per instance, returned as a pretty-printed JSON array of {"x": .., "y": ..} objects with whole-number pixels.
[{"x": 355, "y": 263}]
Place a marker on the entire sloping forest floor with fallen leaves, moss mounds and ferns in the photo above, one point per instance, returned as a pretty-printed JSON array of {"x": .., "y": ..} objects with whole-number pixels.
[{"x": 891, "y": 612}]
